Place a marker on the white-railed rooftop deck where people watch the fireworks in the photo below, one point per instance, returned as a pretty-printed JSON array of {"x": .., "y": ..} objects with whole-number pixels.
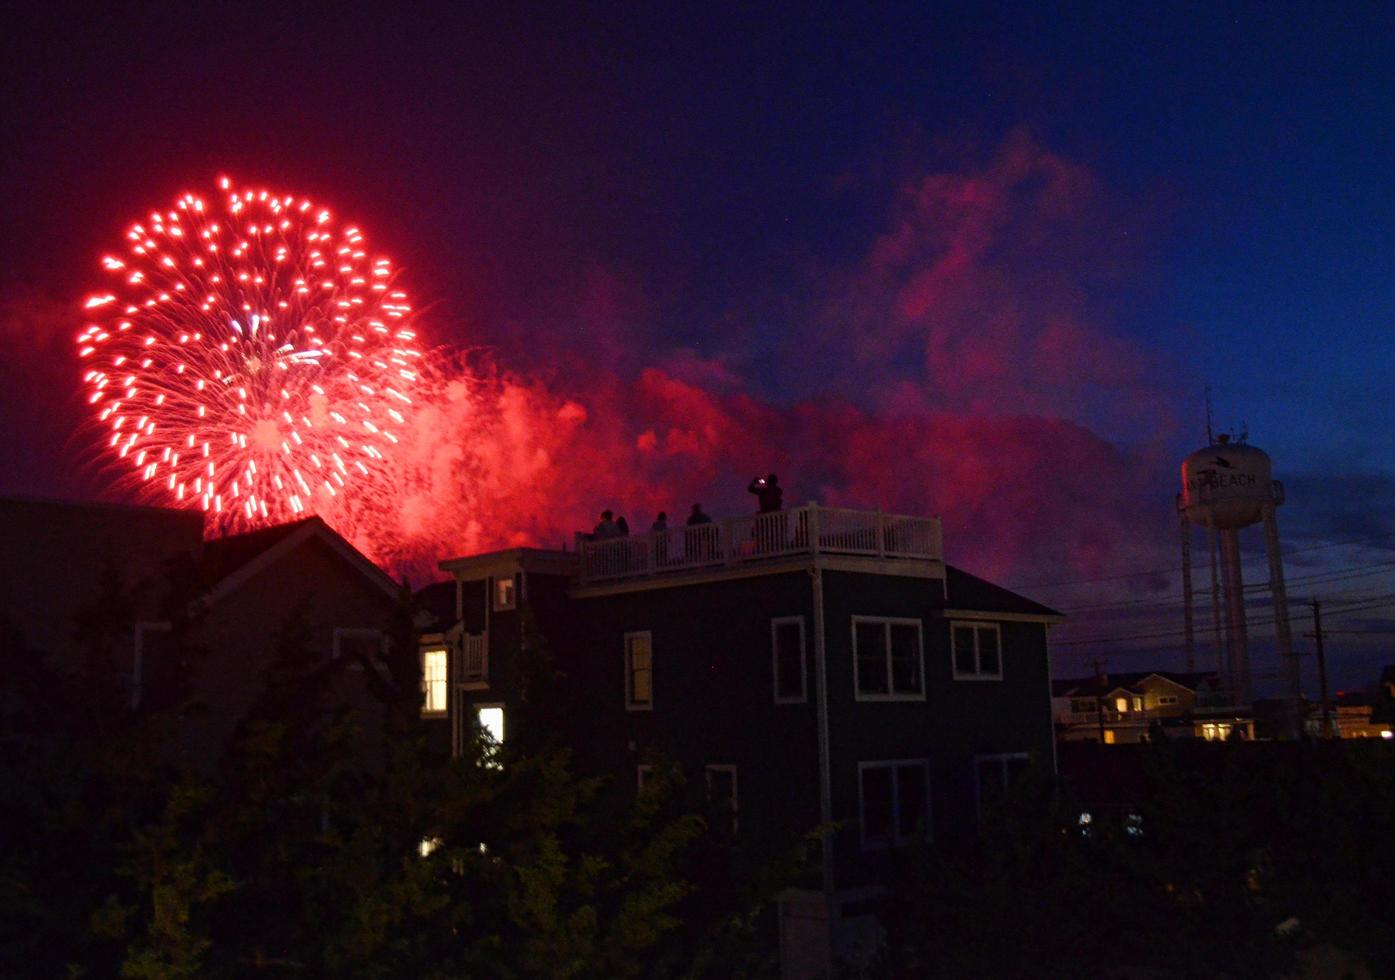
[{"x": 739, "y": 542}]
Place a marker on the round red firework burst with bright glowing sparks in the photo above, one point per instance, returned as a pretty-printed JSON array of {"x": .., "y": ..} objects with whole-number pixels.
[{"x": 253, "y": 360}]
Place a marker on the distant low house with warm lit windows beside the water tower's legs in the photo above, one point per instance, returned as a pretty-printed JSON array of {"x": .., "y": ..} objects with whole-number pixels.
[{"x": 1124, "y": 709}]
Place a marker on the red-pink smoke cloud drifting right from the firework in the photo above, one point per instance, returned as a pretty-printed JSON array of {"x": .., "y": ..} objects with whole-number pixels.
[{"x": 967, "y": 352}]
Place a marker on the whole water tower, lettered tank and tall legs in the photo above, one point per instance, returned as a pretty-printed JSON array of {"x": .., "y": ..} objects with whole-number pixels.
[{"x": 1227, "y": 487}]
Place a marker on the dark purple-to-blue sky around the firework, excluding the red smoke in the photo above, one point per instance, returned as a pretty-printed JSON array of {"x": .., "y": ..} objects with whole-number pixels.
[{"x": 712, "y": 178}]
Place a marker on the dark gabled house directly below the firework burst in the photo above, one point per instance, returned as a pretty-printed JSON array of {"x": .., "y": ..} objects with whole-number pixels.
[{"x": 142, "y": 568}]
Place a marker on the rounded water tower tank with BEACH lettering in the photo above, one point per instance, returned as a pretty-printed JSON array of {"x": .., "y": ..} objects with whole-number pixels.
[{"x": 1227, "y": 486}]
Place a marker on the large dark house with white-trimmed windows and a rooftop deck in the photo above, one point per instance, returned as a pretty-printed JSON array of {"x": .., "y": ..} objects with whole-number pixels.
[{"x": 811, "y": 668}]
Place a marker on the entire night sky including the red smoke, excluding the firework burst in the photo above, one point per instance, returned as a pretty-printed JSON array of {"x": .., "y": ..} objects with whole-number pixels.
[{"x": 974, "y": 260}]
